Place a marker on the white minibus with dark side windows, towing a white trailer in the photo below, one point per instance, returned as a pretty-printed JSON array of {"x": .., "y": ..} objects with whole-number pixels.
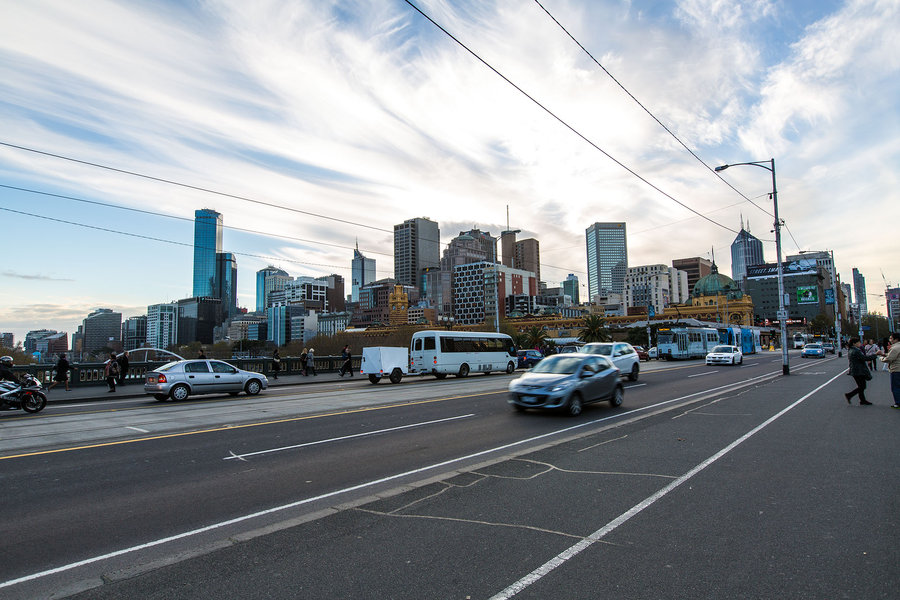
[{"x": 459, "y": 353}]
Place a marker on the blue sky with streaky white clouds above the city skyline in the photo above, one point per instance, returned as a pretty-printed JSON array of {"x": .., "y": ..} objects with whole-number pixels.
[{"x": 314, "y": 126}]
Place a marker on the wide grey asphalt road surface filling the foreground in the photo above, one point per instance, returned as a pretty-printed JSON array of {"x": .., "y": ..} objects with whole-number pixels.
[{"x": 710, "y": 482}]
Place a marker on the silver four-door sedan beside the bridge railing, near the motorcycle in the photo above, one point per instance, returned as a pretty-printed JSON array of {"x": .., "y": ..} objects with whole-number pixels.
[{"x": 180, "y": 379}]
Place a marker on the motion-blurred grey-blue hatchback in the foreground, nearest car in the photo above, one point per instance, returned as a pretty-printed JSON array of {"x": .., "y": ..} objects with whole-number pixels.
[{"x": 567, "y": 382}]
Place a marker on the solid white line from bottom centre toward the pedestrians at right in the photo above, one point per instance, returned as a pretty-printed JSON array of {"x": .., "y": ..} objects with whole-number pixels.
[{"x": 569, "y": 553}]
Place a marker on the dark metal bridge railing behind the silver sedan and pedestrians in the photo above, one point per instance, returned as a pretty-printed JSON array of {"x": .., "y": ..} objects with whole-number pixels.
[{"x": 86, "y": 374}]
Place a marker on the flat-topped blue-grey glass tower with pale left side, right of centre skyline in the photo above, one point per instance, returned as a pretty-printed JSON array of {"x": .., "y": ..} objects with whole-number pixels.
[{"x": 607, "y": 258}]
